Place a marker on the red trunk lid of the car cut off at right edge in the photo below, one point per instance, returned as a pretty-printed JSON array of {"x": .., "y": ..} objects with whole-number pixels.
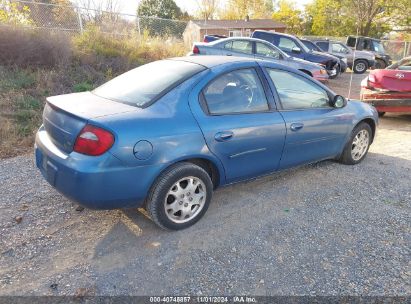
[{"x": 393, "y": 80}]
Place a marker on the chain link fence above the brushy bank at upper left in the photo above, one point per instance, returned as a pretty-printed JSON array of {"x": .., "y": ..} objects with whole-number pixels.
[{"x": 76, "y": 19}]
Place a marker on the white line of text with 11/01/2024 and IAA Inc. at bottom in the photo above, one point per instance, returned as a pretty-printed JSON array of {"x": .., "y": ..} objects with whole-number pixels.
[{"x": 203, "y": 299}]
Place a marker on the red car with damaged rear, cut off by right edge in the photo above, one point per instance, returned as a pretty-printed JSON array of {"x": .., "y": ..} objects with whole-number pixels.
[{"x": 389, "y": 90}]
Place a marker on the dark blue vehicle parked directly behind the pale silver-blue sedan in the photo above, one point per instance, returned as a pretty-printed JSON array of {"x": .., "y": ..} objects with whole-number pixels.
[{"x": 295, "y": 48}]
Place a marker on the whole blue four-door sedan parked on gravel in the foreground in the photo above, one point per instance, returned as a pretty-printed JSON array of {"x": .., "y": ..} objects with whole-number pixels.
[{"x": 166, "y": 134}]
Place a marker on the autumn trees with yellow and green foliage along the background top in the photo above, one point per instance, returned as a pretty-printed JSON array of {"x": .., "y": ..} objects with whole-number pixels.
[{"x": 374, "y": 18}]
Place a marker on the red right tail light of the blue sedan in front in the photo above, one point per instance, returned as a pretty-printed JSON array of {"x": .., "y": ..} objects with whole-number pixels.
[{"x": 93, "y": 141}]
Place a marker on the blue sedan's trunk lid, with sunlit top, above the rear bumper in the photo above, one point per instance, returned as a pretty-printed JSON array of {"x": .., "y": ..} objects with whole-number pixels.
[{"x": 65, "y": 116}]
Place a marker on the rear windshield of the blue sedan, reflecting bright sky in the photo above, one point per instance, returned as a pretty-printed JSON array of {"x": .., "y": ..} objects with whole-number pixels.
[{"x": 143, "y": 85}]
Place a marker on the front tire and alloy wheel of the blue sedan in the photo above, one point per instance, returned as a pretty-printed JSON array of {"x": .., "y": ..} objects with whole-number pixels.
[{"x": 357, "y": 146}]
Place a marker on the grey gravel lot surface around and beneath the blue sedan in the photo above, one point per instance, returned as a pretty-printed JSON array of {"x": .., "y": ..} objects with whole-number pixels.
[{"x": 322, "y": 229}]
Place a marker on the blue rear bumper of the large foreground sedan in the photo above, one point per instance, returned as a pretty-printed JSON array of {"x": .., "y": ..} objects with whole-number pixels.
[{"x": 96, "y": 182}]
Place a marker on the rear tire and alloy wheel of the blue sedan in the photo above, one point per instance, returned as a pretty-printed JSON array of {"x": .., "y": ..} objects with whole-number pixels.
[{"x": 180, "y": 196}]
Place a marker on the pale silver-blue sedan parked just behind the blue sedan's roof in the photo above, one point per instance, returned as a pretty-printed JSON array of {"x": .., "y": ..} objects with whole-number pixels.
[{"x": 260, "y": 49}]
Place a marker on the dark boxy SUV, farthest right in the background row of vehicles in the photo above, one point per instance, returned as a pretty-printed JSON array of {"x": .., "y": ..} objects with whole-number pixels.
[{"x": 359, "y": 43}]
